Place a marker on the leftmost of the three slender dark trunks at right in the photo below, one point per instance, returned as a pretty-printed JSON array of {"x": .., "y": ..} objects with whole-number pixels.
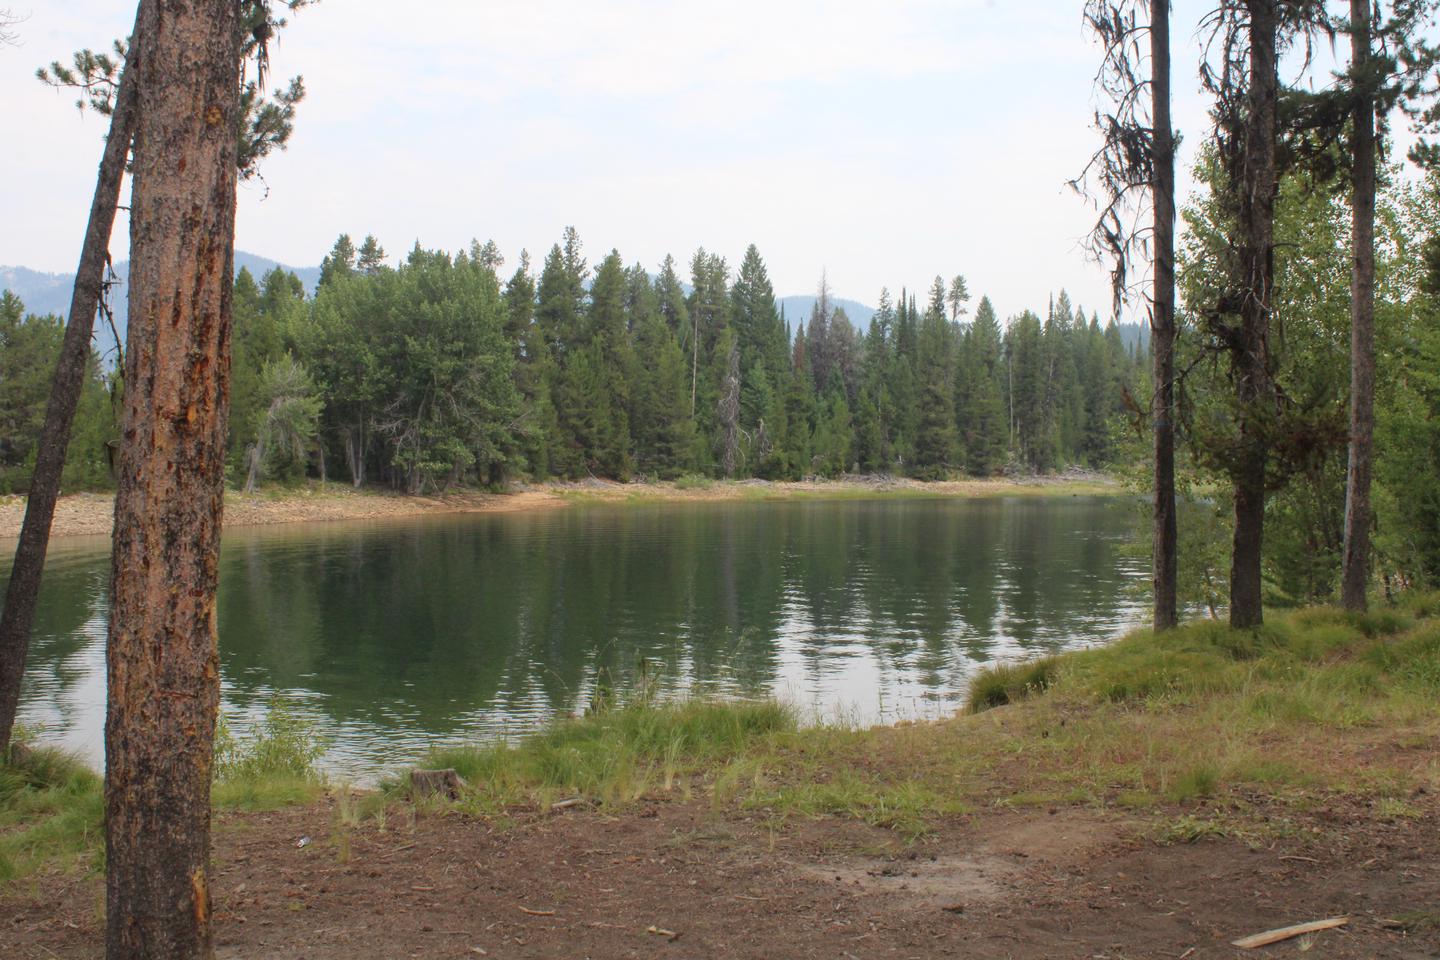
[{"x": 1166, "y": 551}]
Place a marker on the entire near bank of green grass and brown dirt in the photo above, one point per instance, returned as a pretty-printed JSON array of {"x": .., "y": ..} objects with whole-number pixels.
[{"x": 1081, "y": 801}]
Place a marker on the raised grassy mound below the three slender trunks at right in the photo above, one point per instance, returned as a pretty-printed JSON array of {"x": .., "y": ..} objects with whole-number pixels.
[{"x": 1318, "y": 703}]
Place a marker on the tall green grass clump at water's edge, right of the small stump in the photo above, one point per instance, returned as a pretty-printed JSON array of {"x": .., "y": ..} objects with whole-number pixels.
[{"x": 616, "y": 753}]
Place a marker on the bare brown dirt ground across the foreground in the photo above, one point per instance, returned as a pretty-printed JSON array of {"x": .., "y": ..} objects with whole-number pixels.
[{"x": 685, "y": 880}]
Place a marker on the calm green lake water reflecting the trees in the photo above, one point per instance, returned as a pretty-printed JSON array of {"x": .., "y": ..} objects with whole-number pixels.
[{"x": 395, "y": 635}]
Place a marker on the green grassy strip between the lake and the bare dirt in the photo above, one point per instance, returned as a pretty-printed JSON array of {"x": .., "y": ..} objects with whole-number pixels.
[{"x": 1203, "y": 732}]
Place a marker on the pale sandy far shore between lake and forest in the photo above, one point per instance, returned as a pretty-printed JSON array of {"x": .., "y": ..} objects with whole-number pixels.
[{"x": 91, "y": 515}]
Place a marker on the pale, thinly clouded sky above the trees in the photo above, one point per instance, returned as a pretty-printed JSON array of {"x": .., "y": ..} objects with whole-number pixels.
[{"x": 879, "y": 143}]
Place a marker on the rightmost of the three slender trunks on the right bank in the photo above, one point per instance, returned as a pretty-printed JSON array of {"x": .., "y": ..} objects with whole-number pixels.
[{"x": 1356, "y": 575}]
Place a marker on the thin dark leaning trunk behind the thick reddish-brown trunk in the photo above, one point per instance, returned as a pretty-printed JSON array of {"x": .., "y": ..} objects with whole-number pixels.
[{"x": 66, "y": 394}]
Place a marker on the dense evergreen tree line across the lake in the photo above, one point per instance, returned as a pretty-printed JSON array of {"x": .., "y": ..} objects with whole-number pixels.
[{"x": 451, "y": 371}]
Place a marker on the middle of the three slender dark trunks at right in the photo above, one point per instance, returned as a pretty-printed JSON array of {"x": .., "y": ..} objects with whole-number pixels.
[{"x": 1255, "y": 389}]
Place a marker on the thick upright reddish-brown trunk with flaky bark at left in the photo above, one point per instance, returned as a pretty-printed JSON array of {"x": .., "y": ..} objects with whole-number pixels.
[{"x": 163, "y": 674}]
